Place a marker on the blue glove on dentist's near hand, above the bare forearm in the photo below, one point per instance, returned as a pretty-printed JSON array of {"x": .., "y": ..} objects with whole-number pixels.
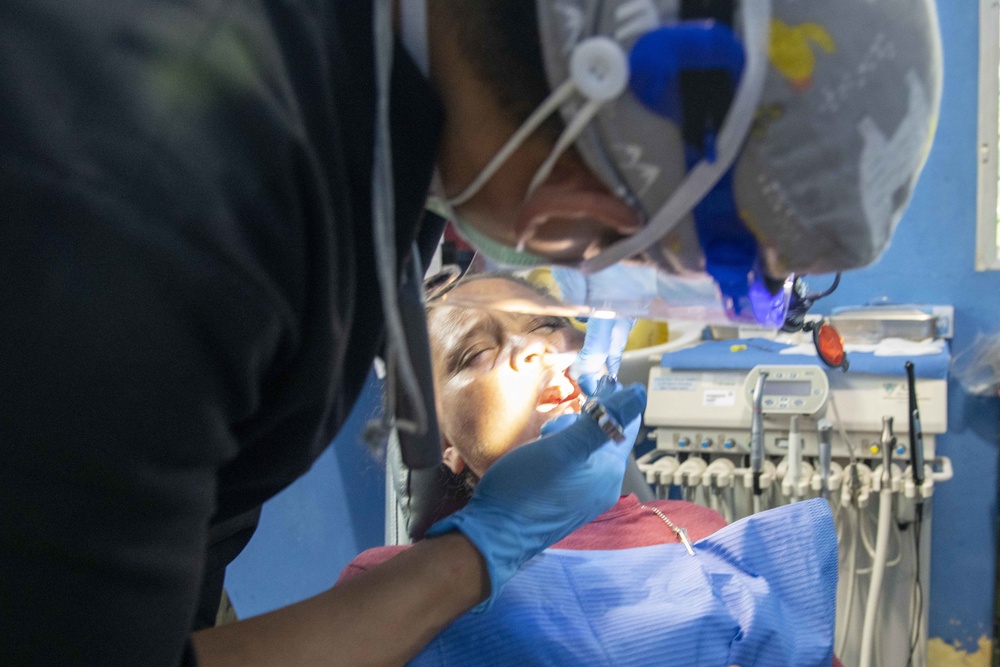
[{"x": 539, "y": 493}]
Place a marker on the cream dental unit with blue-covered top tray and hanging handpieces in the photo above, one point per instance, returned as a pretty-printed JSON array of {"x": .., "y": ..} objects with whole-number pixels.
[{"x": 820, "y": 432}]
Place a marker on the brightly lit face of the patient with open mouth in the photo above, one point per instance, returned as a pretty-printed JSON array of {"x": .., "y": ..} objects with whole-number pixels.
[{"x": 499, "y": 376}]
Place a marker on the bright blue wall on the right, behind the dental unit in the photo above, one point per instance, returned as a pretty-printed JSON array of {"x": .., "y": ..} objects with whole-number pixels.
[{"x": 932, "y": 260}]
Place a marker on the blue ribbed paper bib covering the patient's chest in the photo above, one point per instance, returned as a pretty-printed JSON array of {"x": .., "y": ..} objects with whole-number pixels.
[{"x": 760, "y": 592}]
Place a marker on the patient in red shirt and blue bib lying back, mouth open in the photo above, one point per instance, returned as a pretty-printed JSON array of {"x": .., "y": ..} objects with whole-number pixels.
[{"x": 498, "y": 377}]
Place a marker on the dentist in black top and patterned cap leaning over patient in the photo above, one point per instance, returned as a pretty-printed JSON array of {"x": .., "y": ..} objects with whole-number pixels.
[{"x": 191, "y": 287}]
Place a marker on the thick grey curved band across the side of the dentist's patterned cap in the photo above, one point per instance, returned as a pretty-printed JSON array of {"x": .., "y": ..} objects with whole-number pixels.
[{"x": 756, "y": 18}]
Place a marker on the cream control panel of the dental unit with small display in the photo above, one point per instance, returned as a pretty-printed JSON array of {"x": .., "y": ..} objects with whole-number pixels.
[{"x": 709, "y": 410}]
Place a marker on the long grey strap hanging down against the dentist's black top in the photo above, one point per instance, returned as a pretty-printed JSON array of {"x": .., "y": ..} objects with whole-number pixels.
[{"x": 383, "y": 229}]
